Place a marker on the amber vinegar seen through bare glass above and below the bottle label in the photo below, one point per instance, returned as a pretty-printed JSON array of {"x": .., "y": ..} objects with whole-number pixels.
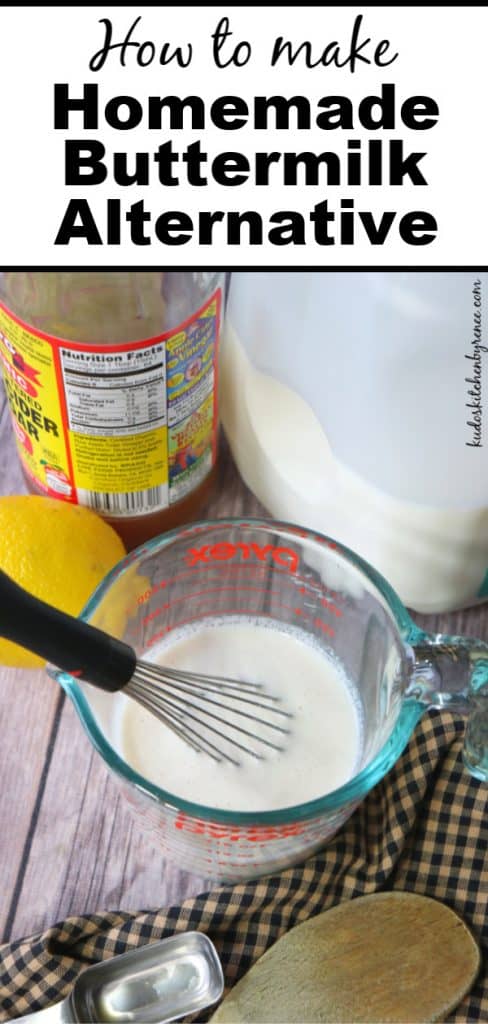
[{"x": 110, "y": 309}]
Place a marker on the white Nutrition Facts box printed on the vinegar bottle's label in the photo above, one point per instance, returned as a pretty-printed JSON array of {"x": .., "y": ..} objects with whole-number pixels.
[{"x": 123, "y": 393}]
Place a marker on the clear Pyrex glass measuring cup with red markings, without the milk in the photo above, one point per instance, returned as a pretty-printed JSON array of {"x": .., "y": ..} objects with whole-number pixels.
[{"x": 280, "y": 574}]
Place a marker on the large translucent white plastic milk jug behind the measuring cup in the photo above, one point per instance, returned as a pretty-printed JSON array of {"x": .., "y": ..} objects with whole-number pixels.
[{"x": 358, "y": 405}]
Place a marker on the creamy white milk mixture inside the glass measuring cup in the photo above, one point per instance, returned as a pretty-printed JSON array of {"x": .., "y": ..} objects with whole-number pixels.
[{"x": 321, "y": 754}]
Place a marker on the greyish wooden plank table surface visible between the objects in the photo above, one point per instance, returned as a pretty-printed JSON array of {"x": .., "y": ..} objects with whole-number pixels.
[{"x": 68, "y": 844}]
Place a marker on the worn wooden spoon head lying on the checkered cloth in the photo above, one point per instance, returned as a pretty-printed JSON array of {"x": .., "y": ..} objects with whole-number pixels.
[{"x": 387, "y": 958}]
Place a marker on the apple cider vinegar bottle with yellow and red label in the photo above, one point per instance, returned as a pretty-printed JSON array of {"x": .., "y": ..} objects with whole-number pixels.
[{"x": 112, "y": 382}]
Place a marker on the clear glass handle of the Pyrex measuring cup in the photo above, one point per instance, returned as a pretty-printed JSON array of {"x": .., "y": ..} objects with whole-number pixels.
[{"x": 452, "y": 673}]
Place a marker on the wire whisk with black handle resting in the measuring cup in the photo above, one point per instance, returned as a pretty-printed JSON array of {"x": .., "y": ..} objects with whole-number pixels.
[{"x": 214, "y": 715}]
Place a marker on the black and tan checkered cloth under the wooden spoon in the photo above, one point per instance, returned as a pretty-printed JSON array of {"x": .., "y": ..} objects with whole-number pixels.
[{"x": 424, "y": 830}]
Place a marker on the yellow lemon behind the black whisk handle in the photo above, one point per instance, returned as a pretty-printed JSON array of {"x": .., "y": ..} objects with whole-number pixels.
[{"x": 57, "y": 551}]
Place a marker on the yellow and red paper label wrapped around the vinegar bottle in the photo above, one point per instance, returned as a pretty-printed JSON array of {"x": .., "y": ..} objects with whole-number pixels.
[{"x": 124, "y": 430}]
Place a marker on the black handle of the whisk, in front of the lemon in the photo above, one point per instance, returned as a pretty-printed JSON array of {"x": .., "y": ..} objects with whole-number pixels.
[{"x": 69, "y": 644}]
